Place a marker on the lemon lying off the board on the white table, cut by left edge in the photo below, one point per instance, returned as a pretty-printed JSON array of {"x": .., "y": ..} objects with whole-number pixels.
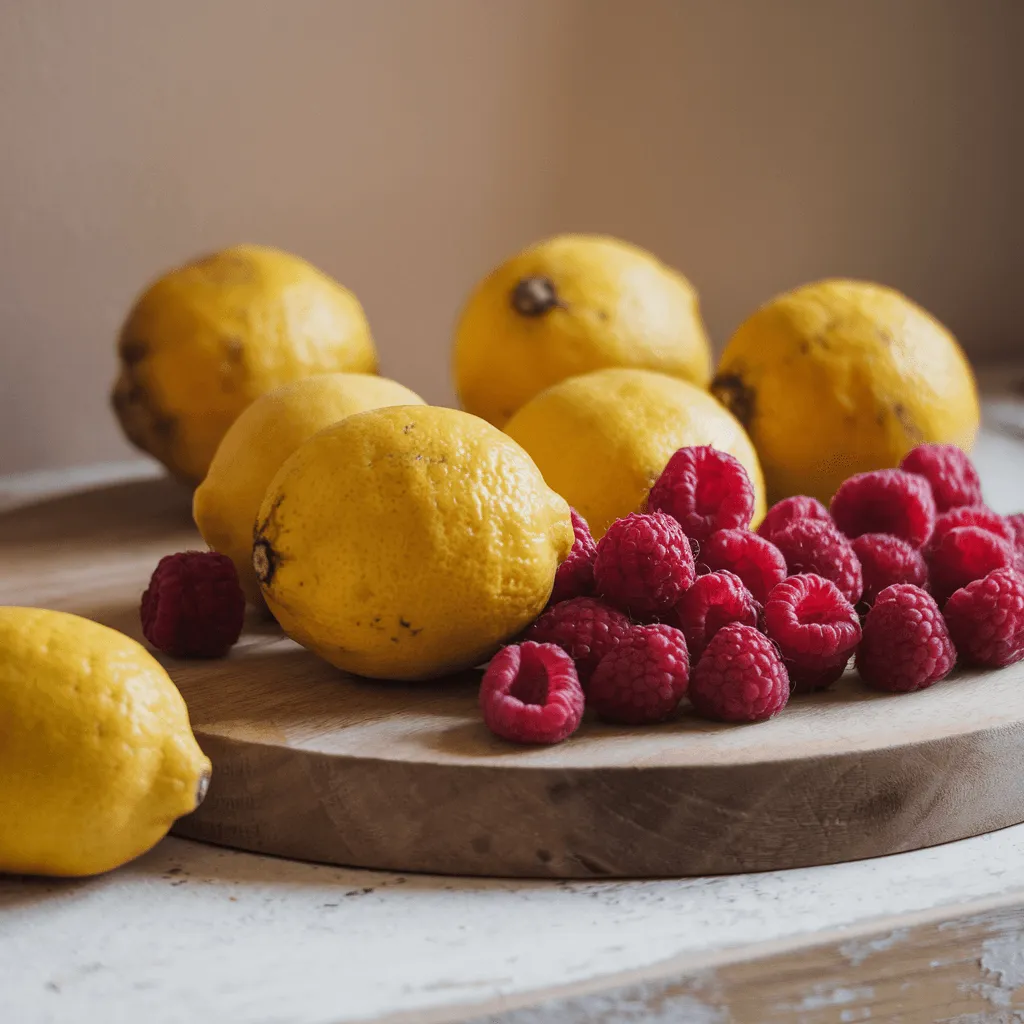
[{"x": 98, "y": 758}]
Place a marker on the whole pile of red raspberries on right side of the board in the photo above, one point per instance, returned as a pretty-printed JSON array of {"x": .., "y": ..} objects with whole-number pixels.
[{"x": 908, "y": 573}]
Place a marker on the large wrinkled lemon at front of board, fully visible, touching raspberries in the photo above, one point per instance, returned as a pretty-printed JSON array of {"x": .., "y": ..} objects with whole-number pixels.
[{"x": 409, "y": 542}]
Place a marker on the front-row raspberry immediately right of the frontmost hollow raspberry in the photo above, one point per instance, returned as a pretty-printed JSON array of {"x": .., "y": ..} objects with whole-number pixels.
[{"x": 644, "y": 679}]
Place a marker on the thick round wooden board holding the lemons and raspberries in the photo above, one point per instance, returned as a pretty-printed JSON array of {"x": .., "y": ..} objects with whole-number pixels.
[{"x": 312, "y": 764}]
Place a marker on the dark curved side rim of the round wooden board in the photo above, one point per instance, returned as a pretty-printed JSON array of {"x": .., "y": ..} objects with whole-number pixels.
[{"x": 643, "y": 822}]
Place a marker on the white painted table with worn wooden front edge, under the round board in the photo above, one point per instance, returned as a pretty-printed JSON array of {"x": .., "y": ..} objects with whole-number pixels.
[{"x": 196, "y": 934}]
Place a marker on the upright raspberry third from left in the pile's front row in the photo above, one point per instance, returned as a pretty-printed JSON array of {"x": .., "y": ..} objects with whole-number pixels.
[{"x": 740, "y": 678}]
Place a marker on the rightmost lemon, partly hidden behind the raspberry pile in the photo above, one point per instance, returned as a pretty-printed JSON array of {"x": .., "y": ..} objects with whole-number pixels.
[{"x": 841, "y": 377}]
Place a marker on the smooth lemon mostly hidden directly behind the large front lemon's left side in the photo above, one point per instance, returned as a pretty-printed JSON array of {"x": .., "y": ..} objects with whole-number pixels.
[{"x": 226, "y": 504}]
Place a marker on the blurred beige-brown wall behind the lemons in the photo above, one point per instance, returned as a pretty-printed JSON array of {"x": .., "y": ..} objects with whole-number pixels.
[{"x": 408, "y": 146}]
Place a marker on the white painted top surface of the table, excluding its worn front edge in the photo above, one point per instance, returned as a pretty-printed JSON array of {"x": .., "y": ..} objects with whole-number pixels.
[{"x": 197, "y": 933}]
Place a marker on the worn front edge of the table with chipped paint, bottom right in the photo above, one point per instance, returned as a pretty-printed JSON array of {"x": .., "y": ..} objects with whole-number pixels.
[{"x": 961, "y": 964}]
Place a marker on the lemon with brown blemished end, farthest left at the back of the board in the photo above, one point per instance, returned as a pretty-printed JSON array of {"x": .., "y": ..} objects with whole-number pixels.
[{"x": 206, "y": 339}]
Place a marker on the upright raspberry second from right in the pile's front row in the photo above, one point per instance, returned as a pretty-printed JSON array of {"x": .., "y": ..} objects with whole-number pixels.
[{"x": 907, "y": 646}]
